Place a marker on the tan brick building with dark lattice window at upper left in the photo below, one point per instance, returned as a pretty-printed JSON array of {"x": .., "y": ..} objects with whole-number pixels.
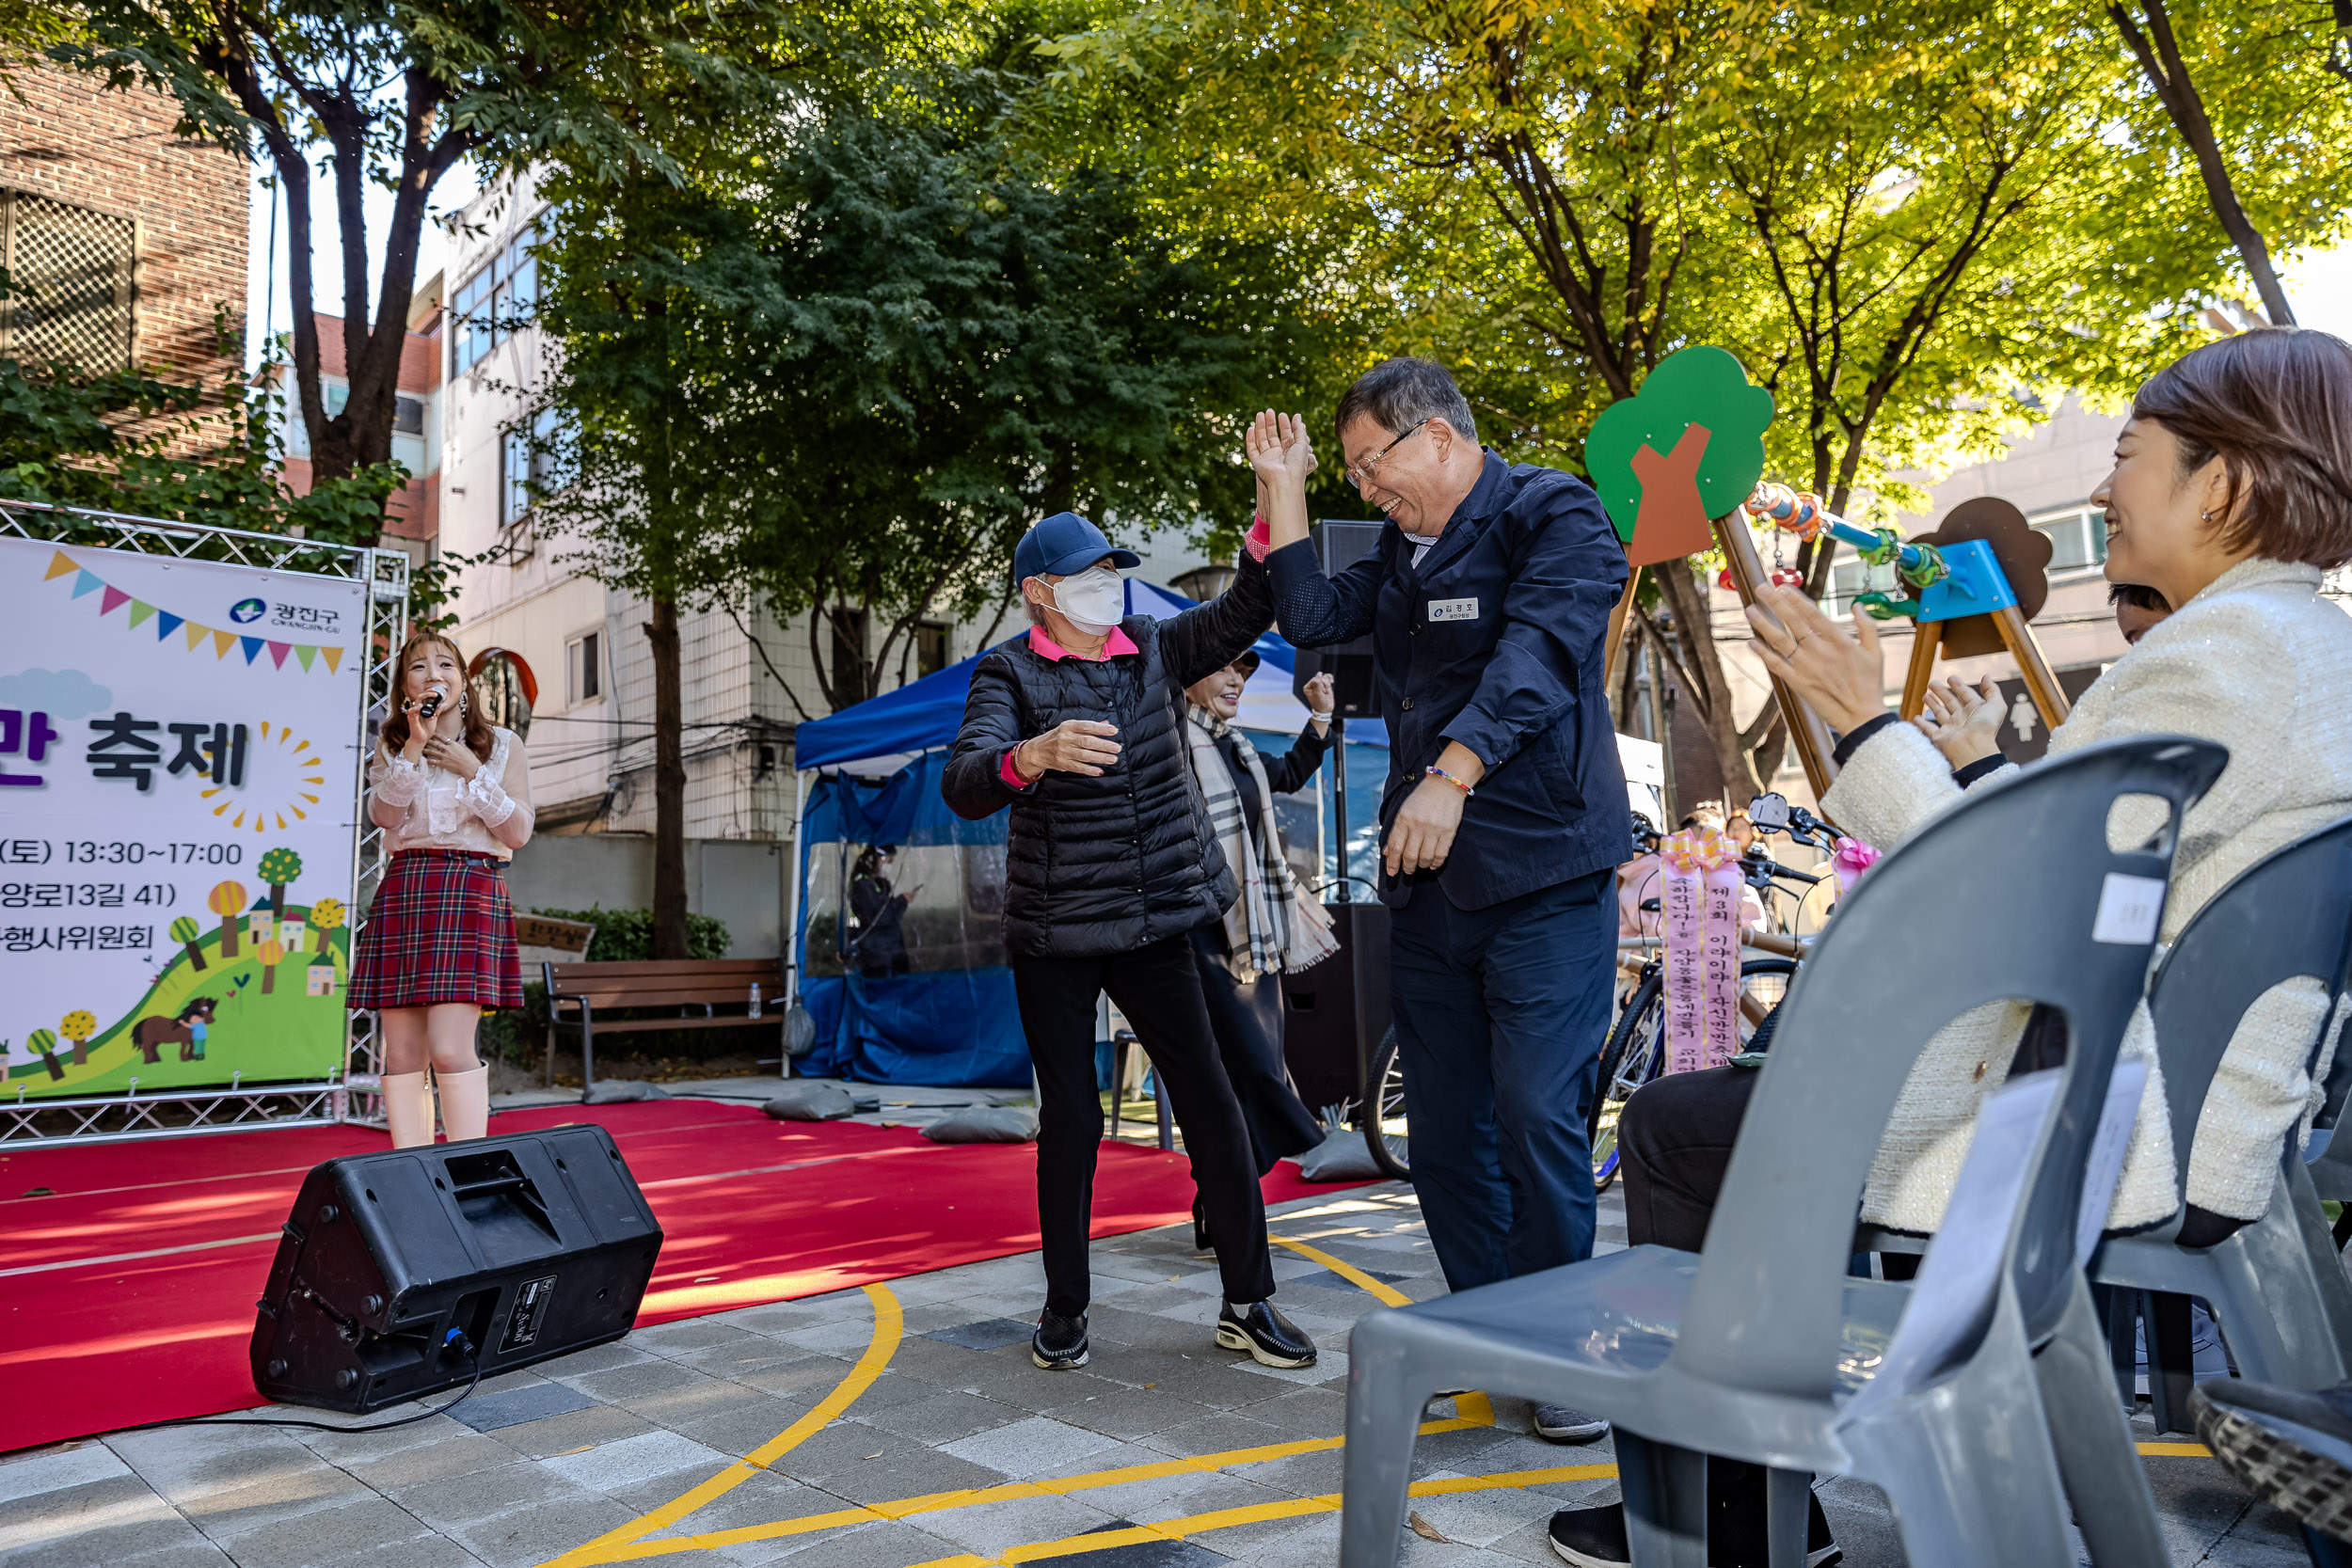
[{"x": 126, "y": 239}]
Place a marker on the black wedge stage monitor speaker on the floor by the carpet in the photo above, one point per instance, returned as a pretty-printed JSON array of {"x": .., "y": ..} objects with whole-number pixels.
[{"x": 394, "y": 1264}]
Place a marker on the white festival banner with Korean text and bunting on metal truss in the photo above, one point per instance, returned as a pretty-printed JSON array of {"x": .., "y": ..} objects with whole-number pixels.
[{"x": 178, "y": 810}]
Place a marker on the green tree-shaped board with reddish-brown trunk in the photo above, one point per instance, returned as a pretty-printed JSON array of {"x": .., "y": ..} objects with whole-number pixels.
[{"x": 1678, "y": 455}]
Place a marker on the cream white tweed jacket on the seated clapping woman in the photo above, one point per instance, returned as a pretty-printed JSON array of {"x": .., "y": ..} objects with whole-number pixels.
[{"x": 2261, "y": 664}]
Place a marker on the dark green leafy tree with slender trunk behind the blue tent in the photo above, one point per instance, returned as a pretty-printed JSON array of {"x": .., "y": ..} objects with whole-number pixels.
[{"x": 857, "y": 351}]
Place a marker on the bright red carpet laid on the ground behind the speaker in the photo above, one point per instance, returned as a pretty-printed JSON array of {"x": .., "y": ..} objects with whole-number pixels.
[{"x": 128, "y": 1294}]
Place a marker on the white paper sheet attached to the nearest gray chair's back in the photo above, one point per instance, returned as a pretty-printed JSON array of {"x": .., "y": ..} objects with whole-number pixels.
[{"x": 1960, "y": 1275}]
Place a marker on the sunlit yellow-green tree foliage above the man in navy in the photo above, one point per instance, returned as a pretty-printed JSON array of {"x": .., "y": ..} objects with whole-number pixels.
[{"x": 1913, "y": 225}]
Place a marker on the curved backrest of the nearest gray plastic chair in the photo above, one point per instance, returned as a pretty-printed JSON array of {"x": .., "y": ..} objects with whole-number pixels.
[{"x": 1991, "y": 902}]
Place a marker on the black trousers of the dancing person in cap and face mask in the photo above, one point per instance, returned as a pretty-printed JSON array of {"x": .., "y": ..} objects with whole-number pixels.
[{"x": 1161, "y": 996}]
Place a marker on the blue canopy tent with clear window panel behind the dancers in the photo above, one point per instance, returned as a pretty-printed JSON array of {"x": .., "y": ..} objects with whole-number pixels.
[{"x": 918, "y": 991}]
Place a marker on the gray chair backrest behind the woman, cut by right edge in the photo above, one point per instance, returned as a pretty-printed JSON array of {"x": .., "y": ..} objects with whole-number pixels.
[{"x": 2285, "y": 916}]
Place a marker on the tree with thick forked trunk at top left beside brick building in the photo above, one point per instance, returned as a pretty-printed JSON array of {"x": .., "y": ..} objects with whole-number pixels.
[{"x": 389, "y": 95}]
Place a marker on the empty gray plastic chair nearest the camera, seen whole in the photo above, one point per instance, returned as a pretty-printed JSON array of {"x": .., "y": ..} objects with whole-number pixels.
[{"x": 1753, "y": 1346}]
